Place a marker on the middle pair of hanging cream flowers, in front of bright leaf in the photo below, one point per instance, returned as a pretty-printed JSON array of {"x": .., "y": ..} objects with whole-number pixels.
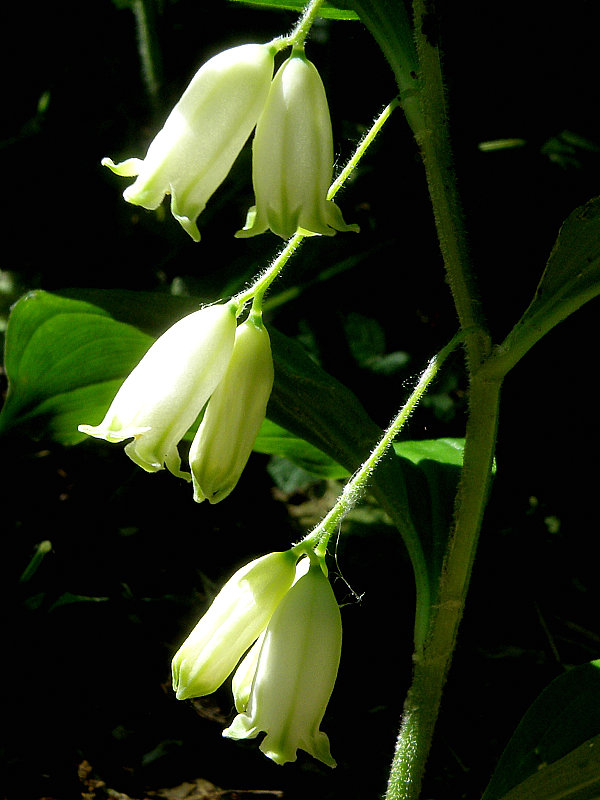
[{"x": 204, "y": 360}]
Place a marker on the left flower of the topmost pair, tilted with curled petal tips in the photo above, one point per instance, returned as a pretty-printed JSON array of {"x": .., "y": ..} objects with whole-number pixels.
[{"x": 203, "y": 135}]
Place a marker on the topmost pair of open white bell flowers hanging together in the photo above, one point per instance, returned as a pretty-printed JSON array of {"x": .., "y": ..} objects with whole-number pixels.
[{"x": 230, "y": 95}]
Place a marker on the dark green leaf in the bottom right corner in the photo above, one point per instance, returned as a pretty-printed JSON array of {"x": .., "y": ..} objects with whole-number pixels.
[{"x": 555, "y": 750}]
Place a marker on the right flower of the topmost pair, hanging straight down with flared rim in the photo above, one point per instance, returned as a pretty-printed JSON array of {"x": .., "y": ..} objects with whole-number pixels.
[{"x": 293, "y": 157}]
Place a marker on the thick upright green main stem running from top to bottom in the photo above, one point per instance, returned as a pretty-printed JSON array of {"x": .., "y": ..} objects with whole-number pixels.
[{"x": 432, "y": 662}]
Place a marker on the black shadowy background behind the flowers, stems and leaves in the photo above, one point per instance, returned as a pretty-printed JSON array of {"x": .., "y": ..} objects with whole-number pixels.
[{"x": 88, "y": 640}]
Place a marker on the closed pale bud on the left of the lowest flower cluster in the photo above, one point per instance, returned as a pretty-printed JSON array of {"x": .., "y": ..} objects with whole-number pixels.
[{"x": 236, "y": 618}]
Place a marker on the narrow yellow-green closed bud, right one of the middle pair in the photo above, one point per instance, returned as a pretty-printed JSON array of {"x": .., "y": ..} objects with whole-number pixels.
[{"x": 235, "y": 412}]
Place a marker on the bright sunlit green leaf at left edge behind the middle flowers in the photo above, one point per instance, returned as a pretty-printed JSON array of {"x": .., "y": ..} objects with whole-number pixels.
[{"x": 65, "y": 360}]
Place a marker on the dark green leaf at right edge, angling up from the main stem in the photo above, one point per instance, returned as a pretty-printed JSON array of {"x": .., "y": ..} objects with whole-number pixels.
[{"x": 571, "y": 278}]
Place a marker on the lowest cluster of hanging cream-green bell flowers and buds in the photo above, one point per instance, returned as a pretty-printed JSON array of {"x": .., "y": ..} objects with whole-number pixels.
[{"x": 284, "y": 617}]
